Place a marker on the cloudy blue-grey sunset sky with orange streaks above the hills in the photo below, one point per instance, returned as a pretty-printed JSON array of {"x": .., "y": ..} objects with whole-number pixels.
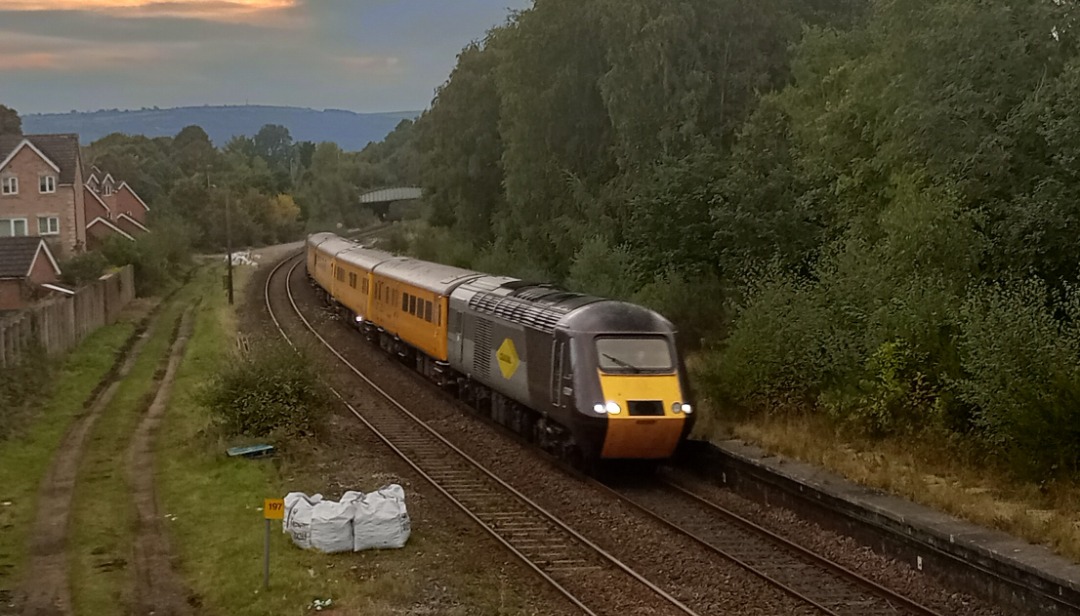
[{"x": 362, "y": 56}]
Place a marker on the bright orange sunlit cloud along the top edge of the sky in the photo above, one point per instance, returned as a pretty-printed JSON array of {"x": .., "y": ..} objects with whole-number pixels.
[{"x": 209, "y": 10}]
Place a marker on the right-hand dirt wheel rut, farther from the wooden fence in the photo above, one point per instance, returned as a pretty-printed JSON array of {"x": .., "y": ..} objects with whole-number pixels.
[{"x": 159, "y": 590}]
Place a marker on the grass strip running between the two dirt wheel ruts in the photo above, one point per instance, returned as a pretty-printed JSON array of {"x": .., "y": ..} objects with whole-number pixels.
[{"x": 103, "y": 515}]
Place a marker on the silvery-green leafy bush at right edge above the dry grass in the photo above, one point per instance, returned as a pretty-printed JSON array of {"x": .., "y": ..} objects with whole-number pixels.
[{"x": 1021, "y": 350}]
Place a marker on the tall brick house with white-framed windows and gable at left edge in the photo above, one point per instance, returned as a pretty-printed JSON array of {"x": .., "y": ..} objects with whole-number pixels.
[{"x": 43, "y": 191}]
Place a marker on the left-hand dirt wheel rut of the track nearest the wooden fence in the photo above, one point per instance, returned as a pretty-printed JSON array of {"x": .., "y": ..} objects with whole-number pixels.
[{"x": 47, "y": 590}]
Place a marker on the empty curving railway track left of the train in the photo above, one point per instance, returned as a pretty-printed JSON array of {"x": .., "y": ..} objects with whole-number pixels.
[{"x": 563, "y": 558}]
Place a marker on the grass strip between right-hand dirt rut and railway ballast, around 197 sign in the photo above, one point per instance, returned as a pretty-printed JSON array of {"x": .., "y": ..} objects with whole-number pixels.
[{"x": 215, "y": 503}]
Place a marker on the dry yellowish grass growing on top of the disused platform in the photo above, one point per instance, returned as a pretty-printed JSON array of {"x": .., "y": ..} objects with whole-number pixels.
[{"x": 928, "y": 471}]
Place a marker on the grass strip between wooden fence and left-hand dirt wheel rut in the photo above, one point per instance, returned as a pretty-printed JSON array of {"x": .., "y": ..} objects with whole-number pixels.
[{"x": 25, "y": 461}]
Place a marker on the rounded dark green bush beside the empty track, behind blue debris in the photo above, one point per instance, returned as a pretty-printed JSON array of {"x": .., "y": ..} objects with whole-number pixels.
[{"x": 272, "y": 391}]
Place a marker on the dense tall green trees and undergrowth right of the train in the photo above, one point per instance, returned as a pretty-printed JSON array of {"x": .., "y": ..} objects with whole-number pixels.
[{"x": 865, "y": 209}]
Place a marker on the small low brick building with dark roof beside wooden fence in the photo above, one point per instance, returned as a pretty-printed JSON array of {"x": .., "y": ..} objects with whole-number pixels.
[{"x": 28, "y": 272}]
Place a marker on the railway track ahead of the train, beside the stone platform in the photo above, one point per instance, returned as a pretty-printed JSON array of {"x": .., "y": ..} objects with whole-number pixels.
[{"x": 801, "y": 573}]
